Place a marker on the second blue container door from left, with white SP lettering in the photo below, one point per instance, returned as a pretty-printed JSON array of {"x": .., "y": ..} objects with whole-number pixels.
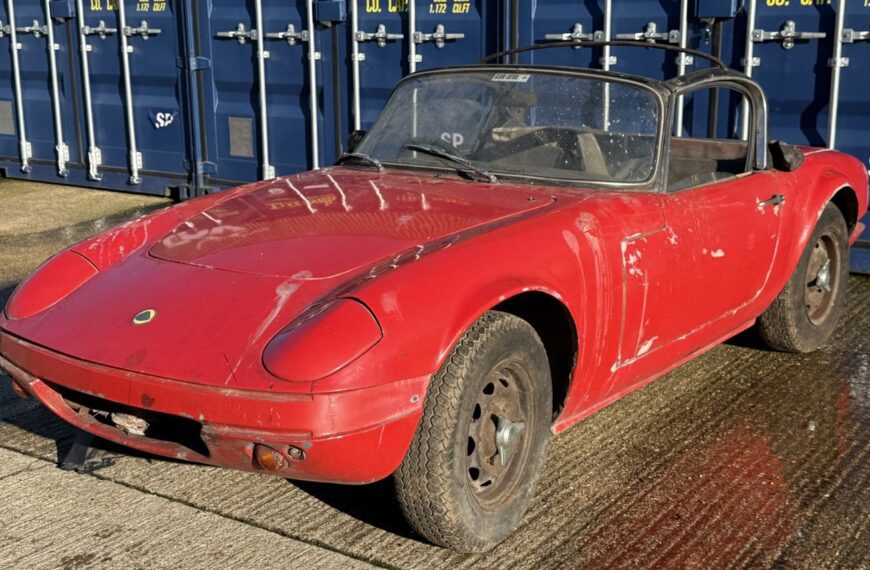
[{"x": 132, "y": 93}]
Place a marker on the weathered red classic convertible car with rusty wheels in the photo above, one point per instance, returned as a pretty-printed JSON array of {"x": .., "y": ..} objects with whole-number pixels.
[{"x": 509, "y": 249}]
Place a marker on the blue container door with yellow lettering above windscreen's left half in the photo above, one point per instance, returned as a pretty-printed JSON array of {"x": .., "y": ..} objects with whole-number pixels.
[{"x": 397, "y": 37}]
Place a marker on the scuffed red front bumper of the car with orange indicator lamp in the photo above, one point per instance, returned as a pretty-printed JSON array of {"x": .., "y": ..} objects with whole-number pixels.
[{"x": 351, "y": 437}]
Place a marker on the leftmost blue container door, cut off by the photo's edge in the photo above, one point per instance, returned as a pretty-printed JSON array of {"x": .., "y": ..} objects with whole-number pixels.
[{"x": 37, "y": 117}]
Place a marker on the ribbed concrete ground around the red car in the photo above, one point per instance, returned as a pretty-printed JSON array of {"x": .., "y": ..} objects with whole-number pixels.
[{"x": 742, "y": 457}]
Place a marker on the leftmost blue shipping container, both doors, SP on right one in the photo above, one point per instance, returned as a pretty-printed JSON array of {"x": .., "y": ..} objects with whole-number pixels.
[{"x": 78, "y": 122}]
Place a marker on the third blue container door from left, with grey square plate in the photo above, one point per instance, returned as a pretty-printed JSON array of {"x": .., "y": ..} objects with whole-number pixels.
[{"x": 263, "y": 91}]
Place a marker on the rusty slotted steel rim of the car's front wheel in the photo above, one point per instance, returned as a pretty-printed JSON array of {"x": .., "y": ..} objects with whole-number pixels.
[{"x": 498, "y": 442}]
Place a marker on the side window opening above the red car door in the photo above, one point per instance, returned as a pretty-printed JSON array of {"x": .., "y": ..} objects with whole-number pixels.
[{"x": 710, "y": 148}]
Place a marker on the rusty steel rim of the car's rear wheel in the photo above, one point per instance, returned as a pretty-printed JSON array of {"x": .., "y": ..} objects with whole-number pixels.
[{"x": 822, "y": 279}]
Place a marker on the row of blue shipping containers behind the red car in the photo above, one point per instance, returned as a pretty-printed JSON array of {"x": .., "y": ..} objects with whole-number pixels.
[{"x": 223, "y": 92}]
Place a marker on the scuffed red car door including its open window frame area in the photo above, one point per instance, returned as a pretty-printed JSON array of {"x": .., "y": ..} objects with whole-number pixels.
[{"x": 693, "y": 282}]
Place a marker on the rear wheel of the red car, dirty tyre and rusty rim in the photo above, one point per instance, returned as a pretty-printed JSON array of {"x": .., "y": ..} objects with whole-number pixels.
[{"x": 804, "y": 315}]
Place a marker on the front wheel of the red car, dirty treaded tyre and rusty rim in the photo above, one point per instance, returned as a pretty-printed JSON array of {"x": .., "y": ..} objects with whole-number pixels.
[{"x": 471, "y": 471}]
